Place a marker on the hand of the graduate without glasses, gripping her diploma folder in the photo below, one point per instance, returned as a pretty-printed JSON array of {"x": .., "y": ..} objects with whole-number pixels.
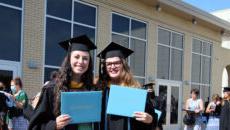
[{"x": 62, "y": 121}]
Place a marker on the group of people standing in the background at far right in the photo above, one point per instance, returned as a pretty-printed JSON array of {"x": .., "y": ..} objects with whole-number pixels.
[{"x": 212, "y": 116}]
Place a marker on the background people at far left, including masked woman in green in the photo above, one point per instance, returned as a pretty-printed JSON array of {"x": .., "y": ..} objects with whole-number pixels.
[{"x": 16, "y": 100}]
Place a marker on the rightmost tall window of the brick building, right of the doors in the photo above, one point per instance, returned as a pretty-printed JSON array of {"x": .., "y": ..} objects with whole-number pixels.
[{"x": 201, "y": 66}]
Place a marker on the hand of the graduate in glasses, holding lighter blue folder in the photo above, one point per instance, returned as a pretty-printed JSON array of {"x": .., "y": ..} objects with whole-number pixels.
[{"x": 143, "y": 117}]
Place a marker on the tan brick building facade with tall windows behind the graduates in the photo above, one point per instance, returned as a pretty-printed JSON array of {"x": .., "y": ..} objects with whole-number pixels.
[{"x": 177, "y": 46}]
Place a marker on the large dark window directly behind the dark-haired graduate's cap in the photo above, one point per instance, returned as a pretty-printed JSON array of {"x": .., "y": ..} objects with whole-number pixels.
[{"x": 65, "y": 19}]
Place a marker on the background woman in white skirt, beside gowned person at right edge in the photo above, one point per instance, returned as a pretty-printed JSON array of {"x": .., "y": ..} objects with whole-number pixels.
[{"x": 213, "y": 121}]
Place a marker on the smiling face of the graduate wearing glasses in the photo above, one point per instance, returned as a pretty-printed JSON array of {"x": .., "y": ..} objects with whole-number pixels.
[{"x": 114, "y": 67}]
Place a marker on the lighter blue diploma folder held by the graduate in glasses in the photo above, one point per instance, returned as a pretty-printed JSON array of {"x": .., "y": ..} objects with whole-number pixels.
[{"x": 124, "y": 101}]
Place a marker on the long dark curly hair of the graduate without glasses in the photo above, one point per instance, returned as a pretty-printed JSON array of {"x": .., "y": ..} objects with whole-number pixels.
[{"x": 64, "y": 78}]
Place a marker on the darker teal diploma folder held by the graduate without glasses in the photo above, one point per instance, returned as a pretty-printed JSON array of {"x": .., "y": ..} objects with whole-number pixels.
[{"x": 82, "y": 107}]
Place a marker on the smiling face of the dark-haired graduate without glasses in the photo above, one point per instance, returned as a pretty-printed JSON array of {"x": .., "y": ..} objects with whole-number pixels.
[{"x": 79, "y": 61}]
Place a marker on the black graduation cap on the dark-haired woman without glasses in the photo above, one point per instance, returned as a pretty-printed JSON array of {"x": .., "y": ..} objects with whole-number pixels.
[{"x": 81, "y": 43}]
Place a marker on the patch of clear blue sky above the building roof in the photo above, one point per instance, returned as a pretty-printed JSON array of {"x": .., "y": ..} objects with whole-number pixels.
[{"x": 210, "y": 5}]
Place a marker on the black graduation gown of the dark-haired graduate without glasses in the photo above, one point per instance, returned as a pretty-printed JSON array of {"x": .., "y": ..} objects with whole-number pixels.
[{"x": 43, "y": 117}]
